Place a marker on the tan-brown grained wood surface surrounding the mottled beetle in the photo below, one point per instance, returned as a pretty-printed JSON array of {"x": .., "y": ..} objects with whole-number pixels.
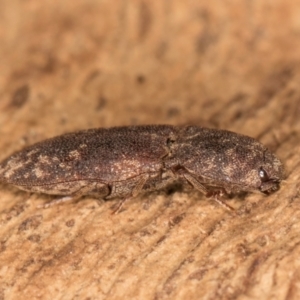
[{"x": 69, "y": 65}]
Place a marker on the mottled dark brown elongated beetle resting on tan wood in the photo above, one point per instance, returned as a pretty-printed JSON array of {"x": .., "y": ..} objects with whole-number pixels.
[{"x": 123, "y": 161}]
